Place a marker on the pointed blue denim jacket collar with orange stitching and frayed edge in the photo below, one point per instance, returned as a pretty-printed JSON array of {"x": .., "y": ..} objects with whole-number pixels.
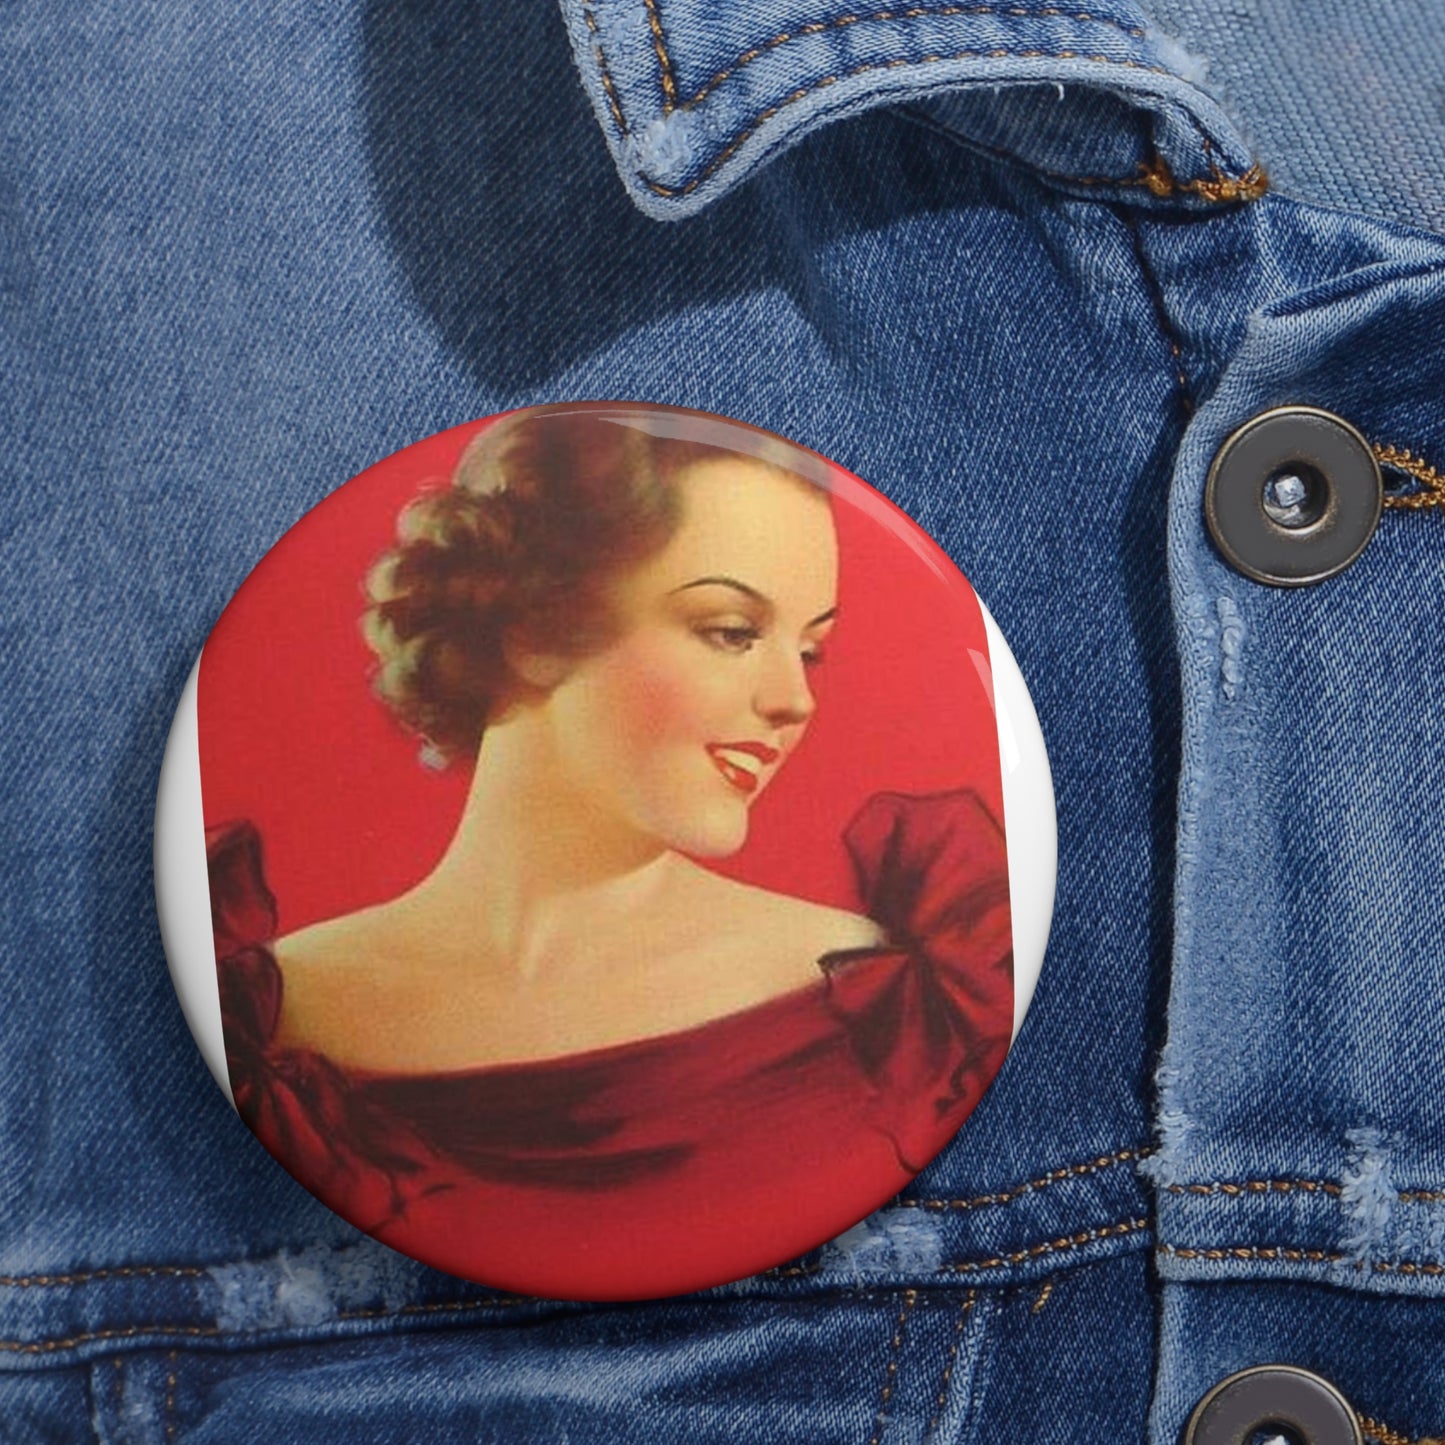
[{"x": 697, "y": 95}]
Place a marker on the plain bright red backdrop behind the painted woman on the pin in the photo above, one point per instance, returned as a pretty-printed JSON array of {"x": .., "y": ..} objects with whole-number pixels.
[{"x": 293, "y": 738}]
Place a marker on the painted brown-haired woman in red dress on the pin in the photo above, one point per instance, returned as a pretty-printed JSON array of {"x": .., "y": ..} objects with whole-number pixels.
[{"x": 573, "y": 1060}]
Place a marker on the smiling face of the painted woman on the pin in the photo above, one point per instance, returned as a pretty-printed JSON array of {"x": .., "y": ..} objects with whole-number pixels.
[{"x": 680, "y": 726}]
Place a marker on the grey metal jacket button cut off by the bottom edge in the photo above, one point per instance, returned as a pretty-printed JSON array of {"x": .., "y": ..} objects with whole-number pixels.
[{"x": 1274, "y": 1398}]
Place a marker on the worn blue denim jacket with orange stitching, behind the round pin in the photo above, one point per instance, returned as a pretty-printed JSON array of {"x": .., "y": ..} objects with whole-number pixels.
[{"x": 1025, "y": 285}]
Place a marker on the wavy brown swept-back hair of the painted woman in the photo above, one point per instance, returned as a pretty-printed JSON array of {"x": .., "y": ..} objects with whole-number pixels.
[{"x": 547, "y": 509}]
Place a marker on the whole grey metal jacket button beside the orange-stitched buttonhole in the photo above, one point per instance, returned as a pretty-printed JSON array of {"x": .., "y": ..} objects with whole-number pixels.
[{"x": 1294, "y": 496}]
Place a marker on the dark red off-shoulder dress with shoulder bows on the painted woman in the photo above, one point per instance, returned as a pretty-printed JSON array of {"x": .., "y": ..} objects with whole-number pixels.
[{"x": 668, "y": 1164}]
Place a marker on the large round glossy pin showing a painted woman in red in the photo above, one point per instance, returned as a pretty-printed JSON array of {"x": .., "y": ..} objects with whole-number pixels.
[{"x": 605, "y": 852}]
